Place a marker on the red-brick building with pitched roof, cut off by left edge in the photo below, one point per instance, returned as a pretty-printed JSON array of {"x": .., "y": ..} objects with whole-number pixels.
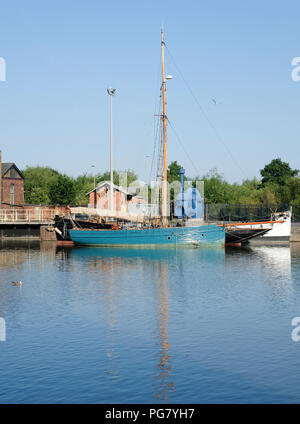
[{"x": 11, "y": 185}]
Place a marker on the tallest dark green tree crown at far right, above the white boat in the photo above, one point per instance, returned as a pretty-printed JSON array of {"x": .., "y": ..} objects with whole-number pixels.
[{"x": 277, "y": 172}]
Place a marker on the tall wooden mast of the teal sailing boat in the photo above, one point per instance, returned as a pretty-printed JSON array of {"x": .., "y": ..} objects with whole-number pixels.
[{"x": 164, "y": 122}]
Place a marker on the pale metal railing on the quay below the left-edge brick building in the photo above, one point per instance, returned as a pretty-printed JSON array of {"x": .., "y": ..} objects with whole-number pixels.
[{"x": 26, "y": 216}]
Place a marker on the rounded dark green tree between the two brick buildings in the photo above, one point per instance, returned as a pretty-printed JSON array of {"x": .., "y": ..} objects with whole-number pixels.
[{"x": 62, "y": 191}]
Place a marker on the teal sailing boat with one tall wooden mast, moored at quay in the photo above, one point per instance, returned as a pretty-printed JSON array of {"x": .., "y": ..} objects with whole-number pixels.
[{"x": 164, "y": 234}]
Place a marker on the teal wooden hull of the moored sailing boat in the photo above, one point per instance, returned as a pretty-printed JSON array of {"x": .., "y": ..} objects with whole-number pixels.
[{"x": 201, "y": 235}]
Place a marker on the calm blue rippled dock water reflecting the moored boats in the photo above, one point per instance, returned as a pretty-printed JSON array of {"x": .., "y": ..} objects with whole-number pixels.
[{"x": 95, "y": 325}]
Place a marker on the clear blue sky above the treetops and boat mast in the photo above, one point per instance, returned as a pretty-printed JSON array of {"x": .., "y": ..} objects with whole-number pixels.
[{"x": 62, "y": 55}]
